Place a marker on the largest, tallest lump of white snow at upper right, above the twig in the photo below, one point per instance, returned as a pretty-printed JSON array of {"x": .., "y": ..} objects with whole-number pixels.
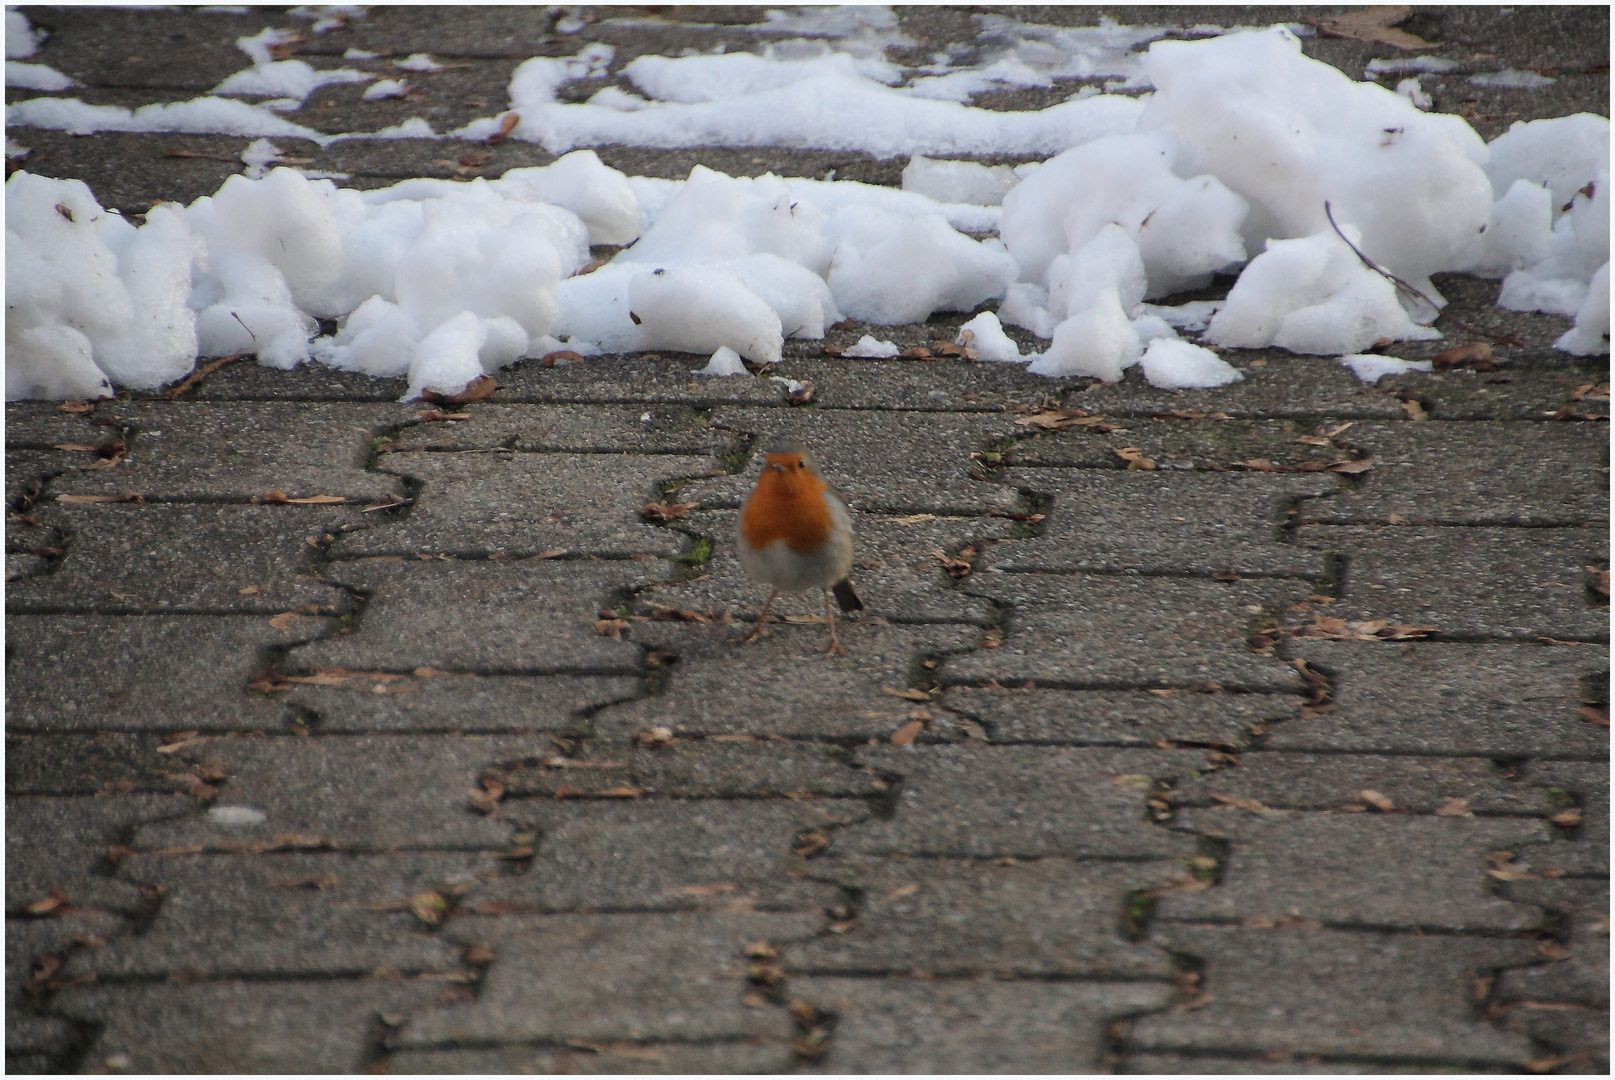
[{"x": 1290, "y": 133}]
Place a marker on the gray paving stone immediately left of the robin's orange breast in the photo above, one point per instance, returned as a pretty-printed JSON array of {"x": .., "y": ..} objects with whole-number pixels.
[{"x": 531, "y": 504}]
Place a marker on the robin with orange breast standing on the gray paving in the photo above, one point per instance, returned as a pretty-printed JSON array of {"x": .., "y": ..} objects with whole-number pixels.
[{"x": 795, "y": 534}]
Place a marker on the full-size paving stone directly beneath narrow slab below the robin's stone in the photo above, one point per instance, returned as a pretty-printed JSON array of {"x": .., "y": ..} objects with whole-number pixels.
[{"x": 668, "y": 855}]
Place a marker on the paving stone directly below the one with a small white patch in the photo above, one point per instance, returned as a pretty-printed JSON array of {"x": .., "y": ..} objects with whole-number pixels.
[{"x": 285, "y": 916}]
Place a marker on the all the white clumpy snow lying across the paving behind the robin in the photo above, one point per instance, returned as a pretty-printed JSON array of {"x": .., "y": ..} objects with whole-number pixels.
[{"x": 1225, "y": 169}]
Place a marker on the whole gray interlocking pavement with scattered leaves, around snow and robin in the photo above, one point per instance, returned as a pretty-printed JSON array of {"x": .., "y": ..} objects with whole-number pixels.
[{"x": 1219, "y": 768}]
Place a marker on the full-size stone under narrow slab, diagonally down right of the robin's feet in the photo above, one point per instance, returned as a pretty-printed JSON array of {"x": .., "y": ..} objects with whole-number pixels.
[{"x": 1021, "y": 802}]
